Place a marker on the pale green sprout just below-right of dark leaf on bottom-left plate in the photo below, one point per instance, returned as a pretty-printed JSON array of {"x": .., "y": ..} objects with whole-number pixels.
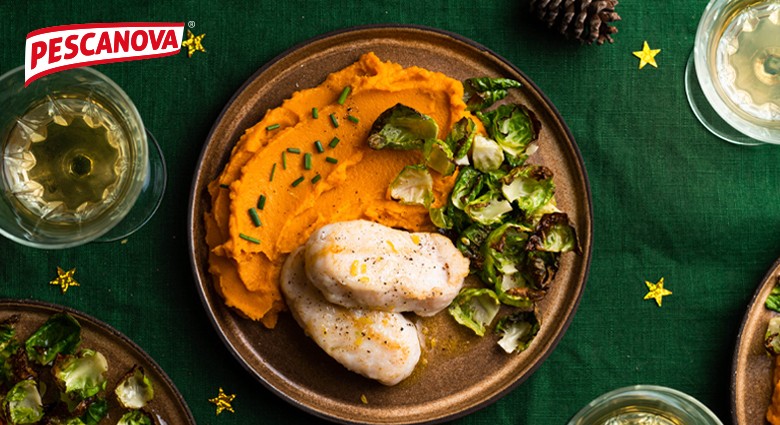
[{"x": 83, "y": 375}]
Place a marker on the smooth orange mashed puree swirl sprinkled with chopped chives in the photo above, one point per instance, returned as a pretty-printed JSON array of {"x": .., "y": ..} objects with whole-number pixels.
[{"x": 246, "y": 274}]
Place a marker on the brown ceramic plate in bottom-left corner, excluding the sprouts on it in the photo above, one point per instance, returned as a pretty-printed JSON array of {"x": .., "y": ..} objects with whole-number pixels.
[{"x": 120, "y": 352}]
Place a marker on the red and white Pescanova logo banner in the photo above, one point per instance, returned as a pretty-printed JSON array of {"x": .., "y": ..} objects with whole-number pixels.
[{"x": 53, "y": 49}]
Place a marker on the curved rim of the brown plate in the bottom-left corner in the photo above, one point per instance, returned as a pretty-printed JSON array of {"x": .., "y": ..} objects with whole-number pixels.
[{"x": 88, "y": 318}]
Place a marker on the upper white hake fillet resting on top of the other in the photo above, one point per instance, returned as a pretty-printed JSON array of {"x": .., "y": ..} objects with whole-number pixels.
[{"x": 368, "y": 265}]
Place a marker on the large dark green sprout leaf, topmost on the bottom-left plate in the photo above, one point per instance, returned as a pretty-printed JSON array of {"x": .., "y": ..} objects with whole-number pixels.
[{"x": 60, "y": 334}]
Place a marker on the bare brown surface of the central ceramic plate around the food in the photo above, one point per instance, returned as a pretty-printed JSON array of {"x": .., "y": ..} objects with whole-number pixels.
[{"x": 464, "y": 373}]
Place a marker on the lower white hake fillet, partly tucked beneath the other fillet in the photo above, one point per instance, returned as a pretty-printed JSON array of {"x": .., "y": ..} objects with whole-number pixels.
[{"x": 378, "y": 345}]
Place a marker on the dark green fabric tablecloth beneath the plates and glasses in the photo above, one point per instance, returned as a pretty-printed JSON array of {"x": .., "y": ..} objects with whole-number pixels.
[{"x": 670, "y": 200}]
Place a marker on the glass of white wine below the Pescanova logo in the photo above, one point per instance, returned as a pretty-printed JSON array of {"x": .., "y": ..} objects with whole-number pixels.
[{"x": 77, "y": 162}]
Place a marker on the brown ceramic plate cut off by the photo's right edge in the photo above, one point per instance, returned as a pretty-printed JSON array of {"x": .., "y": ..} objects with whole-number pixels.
[{"x": 751, "y": 379}]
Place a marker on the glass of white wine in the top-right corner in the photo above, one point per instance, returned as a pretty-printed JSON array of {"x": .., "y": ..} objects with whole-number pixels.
[{"x": 733, "y": 74}]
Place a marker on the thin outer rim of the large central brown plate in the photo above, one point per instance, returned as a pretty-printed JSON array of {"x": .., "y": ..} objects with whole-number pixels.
[{"x": 193, "y": 196}]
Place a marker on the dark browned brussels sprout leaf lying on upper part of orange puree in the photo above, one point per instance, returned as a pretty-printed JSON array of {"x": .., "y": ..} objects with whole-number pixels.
[{"x": 401, "y": 127}]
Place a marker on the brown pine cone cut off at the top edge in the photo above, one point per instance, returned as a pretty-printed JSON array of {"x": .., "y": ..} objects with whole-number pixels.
[{"x": 585, "y": 20}]
